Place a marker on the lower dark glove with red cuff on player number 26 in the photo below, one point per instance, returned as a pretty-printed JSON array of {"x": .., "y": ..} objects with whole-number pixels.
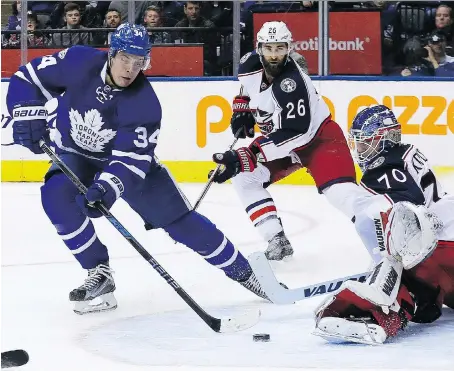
[{"x": 234, "y": 161}]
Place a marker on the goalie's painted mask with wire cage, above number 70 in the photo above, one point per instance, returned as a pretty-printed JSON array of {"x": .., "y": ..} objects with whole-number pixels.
[{"x": 374, "y": 129}]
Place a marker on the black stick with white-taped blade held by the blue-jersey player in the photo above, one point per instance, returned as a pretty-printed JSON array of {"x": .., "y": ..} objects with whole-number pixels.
[{"x": 223, "y": 325}]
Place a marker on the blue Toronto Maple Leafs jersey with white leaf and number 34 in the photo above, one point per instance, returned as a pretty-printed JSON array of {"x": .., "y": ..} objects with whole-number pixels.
[{"x": 117, "y": 127}]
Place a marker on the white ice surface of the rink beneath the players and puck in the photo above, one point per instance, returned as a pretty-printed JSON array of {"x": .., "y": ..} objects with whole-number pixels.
[{"x": 154, "y": 329}]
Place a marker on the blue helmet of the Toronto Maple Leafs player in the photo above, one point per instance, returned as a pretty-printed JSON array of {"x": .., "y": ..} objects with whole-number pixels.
[{"x": 132, "y": 39}]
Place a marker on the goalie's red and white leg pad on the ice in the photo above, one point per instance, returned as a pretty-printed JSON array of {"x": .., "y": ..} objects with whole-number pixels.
[{"x": 380, "y": 301}]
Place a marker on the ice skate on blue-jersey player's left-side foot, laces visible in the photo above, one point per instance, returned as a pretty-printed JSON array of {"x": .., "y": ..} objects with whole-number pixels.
[{"x": 96, "y": 293}]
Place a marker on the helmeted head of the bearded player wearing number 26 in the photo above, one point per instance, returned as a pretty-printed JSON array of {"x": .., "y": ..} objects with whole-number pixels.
[{"x": 273, "y": 45}]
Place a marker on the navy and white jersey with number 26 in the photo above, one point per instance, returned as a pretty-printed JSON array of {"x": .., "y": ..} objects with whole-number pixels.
[{"x": 289, "y": 111}]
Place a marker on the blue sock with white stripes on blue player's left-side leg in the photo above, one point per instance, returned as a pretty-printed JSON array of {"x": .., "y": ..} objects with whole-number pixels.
[{"x": 76, "y": 230}]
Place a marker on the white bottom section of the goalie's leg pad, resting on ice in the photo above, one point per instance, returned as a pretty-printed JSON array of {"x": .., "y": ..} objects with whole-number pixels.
[{"x": 356, "y": 330}]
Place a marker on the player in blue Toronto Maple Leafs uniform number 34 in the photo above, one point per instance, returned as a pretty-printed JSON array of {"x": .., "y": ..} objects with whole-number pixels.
[{"x": 103, "y": 117}]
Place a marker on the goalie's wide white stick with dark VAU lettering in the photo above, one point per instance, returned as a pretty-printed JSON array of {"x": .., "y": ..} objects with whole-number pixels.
[{"x": 281, "y": 295}]
